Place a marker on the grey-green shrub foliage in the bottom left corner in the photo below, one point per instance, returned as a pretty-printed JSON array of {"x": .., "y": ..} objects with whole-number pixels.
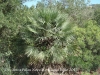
[{"x": 5, "y": 68}]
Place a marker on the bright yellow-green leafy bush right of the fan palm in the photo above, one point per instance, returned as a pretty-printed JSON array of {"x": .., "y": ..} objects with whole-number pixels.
[{"x": 85, "y": 46}]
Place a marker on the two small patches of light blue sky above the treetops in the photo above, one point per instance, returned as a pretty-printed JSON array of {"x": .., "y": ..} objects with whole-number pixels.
[{"x": 34, "y": 2}]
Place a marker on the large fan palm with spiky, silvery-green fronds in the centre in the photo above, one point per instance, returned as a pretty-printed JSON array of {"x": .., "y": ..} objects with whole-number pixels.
[{"x": 48, "y": 32}]
